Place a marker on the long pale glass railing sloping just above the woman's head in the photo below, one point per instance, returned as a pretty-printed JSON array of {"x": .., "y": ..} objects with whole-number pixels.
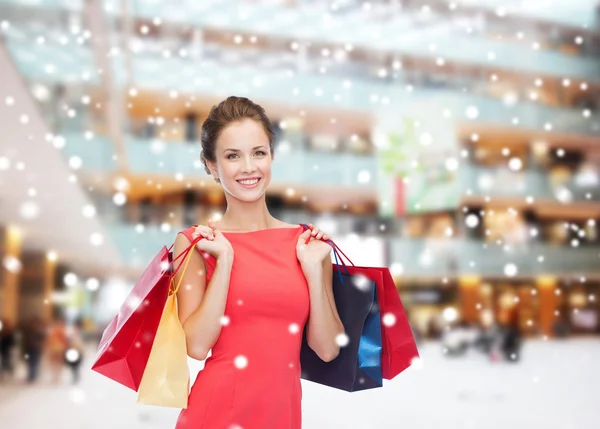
[{"x": 51, "y": 63}]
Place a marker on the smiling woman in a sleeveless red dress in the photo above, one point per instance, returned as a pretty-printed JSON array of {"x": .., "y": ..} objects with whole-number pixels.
[{"x": 240, "y": 306}]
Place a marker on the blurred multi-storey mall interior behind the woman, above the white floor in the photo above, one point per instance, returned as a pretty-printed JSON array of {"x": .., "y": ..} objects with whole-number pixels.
[{"x": 457, "y": 143}]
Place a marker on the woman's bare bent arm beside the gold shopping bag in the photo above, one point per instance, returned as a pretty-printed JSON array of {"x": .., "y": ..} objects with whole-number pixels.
[{"x": 201, "y": 308}]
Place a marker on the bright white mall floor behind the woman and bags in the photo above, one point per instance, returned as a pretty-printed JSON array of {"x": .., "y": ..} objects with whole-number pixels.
[{"x": 555, "y": 386}]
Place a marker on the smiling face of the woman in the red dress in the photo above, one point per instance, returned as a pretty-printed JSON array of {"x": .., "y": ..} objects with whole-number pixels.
[{"x": 243, "y": 153}]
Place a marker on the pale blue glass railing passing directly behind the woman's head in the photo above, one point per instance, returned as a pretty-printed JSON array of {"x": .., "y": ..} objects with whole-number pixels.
[{"x": 304, "y": 167}]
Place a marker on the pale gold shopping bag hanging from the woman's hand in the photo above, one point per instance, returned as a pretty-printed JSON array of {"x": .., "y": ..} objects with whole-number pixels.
[{"x": 166, "y": 379}]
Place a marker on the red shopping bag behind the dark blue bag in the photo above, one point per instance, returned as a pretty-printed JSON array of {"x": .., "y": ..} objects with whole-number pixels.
[{"x": 398, "y": 342}]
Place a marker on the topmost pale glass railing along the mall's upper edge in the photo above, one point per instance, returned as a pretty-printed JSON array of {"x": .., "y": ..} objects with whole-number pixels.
[{"x": 401, "y": 34}]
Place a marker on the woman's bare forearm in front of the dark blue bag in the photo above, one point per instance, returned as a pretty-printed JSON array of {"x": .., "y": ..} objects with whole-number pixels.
[{"x": 324, "y": 323}]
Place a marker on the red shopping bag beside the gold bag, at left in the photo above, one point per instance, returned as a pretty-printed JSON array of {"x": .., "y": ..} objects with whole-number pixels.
[{"x": 126, "y": 342}]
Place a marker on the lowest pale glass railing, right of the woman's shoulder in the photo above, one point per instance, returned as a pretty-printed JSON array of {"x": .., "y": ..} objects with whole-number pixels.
[{"x": 447, "y": 257}]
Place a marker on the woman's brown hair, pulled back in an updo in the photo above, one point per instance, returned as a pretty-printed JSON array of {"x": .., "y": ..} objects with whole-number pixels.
[{"x": 233, "y": 109}]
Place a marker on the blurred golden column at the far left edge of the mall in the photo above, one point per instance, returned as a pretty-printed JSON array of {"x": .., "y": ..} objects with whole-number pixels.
[{"x": 12, "y": 241}]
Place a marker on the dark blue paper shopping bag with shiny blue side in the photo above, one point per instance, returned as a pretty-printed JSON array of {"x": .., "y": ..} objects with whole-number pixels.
[{"x": 358, "y": 366}]
